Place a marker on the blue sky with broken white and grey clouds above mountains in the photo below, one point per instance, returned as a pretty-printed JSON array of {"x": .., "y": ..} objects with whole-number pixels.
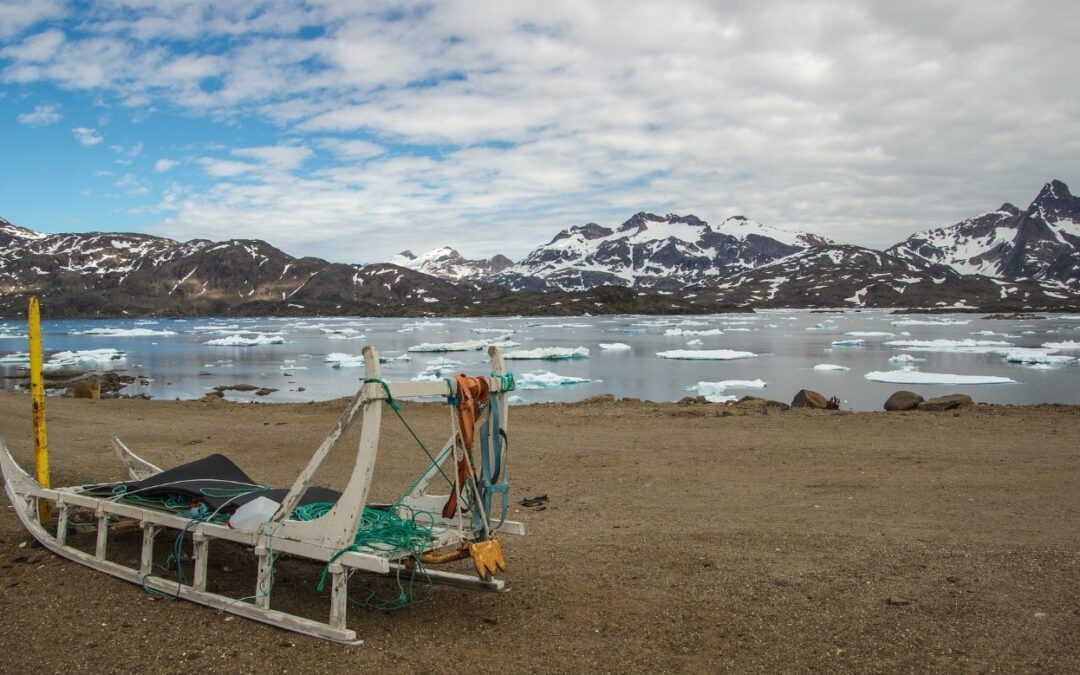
[{"x": 354, "y": 130}]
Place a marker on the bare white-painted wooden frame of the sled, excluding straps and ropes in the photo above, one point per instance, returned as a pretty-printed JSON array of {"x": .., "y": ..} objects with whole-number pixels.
[{"x": 321, "y": 539}]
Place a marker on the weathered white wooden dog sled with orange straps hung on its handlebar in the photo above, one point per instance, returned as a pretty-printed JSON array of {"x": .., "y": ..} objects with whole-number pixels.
[{"x": 462, "y": 524}]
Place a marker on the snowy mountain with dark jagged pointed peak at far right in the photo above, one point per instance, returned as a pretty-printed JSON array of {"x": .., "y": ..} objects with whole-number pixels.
[{"x": 1042, "y": 242}]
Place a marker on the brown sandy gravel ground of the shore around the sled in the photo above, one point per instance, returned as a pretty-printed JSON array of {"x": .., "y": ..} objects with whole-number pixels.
[{"x": 677, "y": 539}]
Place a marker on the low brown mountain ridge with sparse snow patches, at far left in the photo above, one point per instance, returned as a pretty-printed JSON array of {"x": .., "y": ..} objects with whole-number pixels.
[{"x": 109, "y": 274}]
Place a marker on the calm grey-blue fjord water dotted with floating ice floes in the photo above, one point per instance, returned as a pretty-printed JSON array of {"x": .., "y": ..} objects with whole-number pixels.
[{"x": 787, "y": 344}]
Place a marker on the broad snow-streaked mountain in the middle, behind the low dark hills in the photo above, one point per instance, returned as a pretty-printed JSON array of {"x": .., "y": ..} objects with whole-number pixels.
[{"x": 652, "y": 251}]
